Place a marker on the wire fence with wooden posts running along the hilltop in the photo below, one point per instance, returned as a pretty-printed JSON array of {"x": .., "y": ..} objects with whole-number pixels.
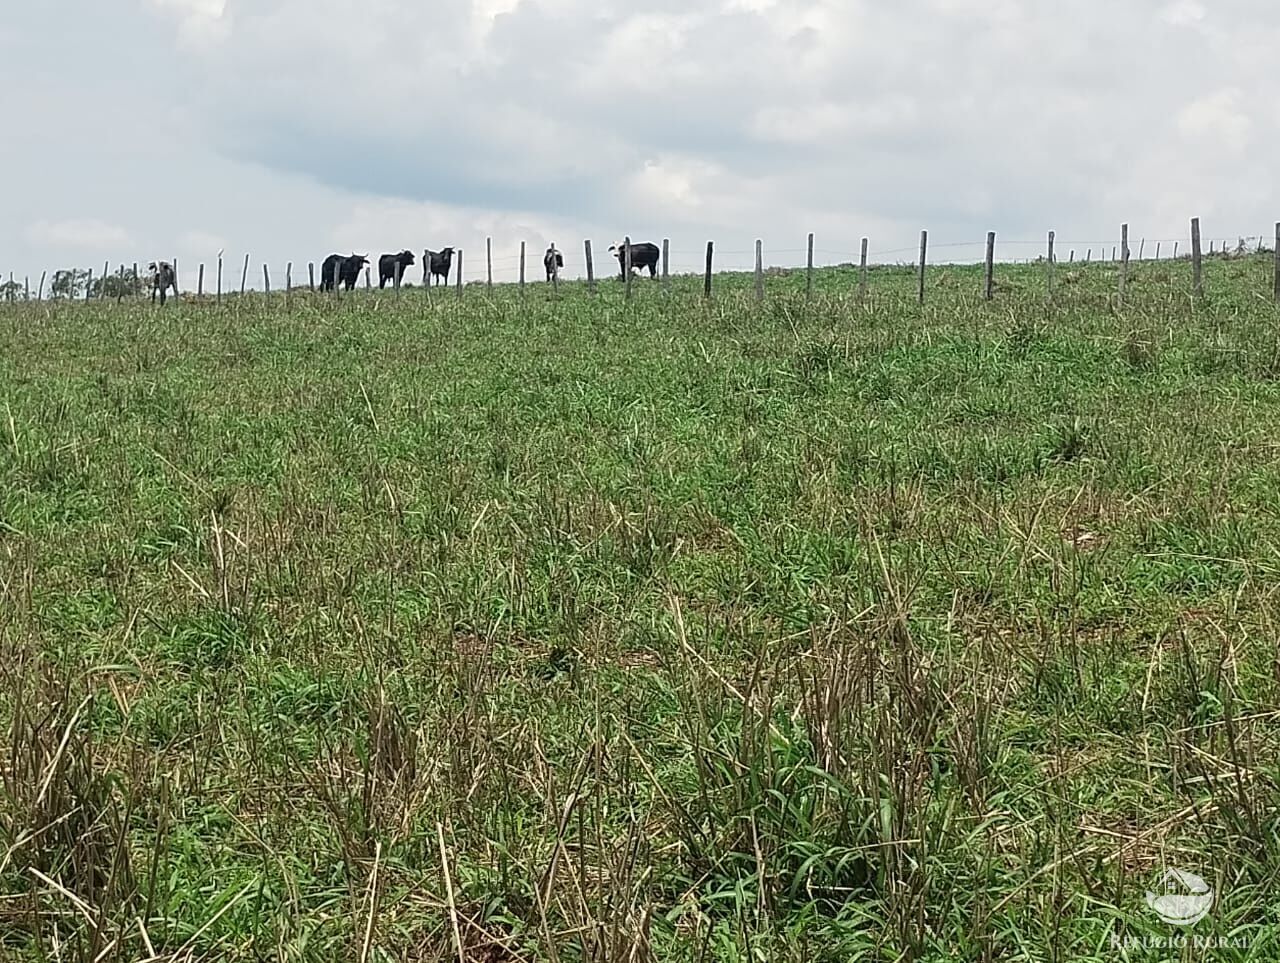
[{"x": 518, "y": 263}]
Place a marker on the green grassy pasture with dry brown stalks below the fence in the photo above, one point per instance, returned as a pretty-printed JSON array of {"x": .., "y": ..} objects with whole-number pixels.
[{"x": 578, "y": 631}]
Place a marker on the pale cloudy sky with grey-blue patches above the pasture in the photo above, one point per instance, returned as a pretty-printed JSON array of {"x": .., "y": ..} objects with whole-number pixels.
[{"x": 290, "y": 130}]
